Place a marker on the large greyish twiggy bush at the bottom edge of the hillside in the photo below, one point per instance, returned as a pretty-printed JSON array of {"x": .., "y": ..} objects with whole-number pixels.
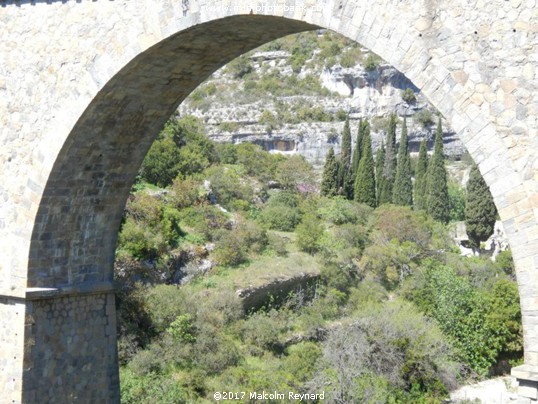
[{"x": 385, "y": 353}]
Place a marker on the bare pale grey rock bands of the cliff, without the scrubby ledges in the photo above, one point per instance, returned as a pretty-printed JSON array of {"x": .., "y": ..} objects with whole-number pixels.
[{"x": 372, "y": 95}]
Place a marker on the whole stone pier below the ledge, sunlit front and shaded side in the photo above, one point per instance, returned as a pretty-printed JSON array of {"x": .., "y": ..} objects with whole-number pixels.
[{"x": 61, "y": 346}]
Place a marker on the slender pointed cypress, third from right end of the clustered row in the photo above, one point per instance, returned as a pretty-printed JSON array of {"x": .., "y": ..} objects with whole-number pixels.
[{"x": 402, "y": 192}]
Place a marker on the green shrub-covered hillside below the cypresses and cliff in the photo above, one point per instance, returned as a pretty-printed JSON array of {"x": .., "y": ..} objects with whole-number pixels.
[{"x": 378, "y": 305}]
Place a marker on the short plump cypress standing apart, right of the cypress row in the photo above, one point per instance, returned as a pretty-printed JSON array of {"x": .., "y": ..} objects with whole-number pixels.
[{"x": 480, "y": 211}]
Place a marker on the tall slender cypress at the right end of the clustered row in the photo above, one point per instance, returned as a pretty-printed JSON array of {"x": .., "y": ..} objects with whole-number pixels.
[{"x": 436, "y": 183}]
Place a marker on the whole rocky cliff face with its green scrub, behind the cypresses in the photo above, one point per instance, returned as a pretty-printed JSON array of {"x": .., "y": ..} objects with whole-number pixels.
[{"x": 289, "y": 112}]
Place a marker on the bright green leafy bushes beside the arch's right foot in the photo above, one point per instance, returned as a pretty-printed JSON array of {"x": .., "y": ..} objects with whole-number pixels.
[{"x": 469, "y": 316}]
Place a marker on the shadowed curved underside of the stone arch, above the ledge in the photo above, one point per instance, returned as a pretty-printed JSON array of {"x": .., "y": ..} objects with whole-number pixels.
[{"x": 74, "y": 237}]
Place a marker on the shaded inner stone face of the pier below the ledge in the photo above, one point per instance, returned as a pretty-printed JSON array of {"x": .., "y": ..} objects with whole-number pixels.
[{"x": 70, "y": 351}]
